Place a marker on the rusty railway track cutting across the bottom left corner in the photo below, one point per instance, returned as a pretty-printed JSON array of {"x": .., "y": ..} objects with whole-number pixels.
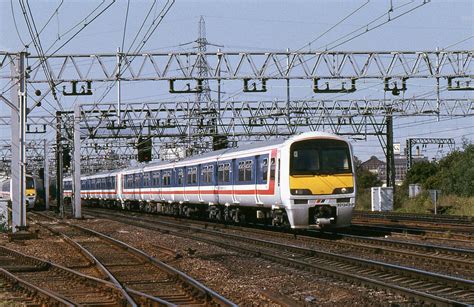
[{"x": 60, "y": 284}]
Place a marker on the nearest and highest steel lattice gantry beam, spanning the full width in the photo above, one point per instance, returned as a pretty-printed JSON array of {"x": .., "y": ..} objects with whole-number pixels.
[{"x": 252, "y": 65}]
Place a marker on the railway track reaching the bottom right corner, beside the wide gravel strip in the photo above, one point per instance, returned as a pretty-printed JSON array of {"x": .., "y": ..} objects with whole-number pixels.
[{"x": 417, "y": 284}]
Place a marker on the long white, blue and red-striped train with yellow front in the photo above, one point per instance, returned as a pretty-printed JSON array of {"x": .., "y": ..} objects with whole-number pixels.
[{"x": 305, "y": 181}]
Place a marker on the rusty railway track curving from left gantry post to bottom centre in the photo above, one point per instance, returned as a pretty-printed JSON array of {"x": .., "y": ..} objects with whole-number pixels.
[{"x": 131, "y": 270}]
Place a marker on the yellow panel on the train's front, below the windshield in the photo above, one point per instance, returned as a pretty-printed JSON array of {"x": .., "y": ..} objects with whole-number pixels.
[{"x": 321, "y": 184}]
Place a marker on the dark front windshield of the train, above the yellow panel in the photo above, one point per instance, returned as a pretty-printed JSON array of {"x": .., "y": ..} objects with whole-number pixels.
[{"x": 320, "y": 157}]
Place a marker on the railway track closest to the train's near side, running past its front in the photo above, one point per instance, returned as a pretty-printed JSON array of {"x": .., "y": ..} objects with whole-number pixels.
[{"x": 447, "y": 260}]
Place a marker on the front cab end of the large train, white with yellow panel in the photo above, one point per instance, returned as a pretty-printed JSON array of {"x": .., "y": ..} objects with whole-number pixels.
[{"x": 320, "y": 180}]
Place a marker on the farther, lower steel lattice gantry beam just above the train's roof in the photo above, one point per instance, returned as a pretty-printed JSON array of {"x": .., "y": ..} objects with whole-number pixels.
[{"x": 262, "y": 119}]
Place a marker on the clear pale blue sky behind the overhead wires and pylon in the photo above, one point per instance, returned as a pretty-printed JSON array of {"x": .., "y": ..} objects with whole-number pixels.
[{"x": 264, "y": 25}]
